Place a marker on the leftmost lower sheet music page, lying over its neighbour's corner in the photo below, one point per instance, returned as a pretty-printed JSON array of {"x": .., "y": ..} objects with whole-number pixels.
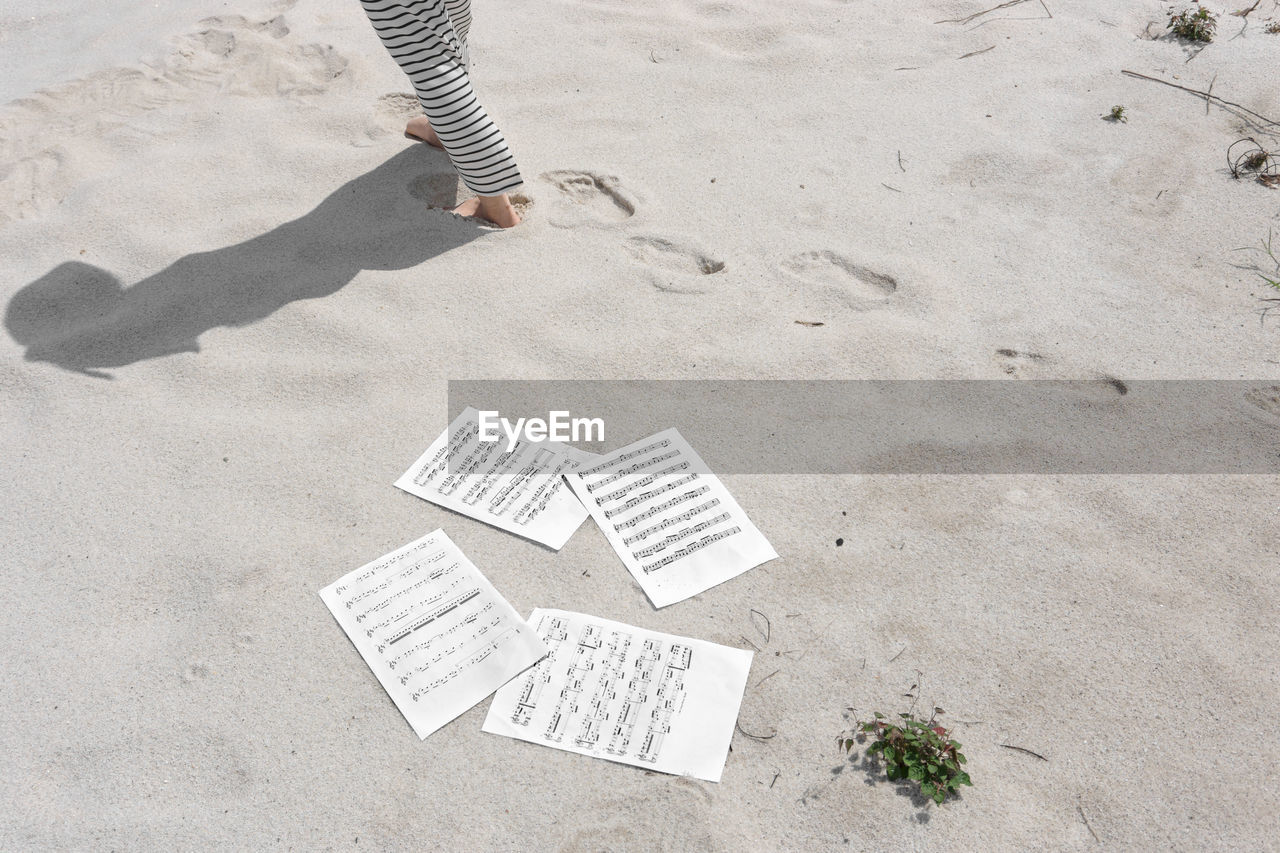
[{"x": 433, "y": 630}]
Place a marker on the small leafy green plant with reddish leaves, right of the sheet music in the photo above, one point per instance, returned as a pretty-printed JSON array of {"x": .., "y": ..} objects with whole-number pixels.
[{"x": 918, "y": 751}]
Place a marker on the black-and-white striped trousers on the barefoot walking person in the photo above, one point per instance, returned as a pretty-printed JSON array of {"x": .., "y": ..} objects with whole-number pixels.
[{"x": 429, "y": 40}]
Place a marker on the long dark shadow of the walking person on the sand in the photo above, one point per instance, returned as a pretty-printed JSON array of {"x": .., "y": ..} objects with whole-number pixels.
[{"x": 81, "y": 318}]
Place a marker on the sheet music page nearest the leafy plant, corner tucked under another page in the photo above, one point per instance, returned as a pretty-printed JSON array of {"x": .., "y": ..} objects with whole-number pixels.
[{"x": 627, "y": 695}]
